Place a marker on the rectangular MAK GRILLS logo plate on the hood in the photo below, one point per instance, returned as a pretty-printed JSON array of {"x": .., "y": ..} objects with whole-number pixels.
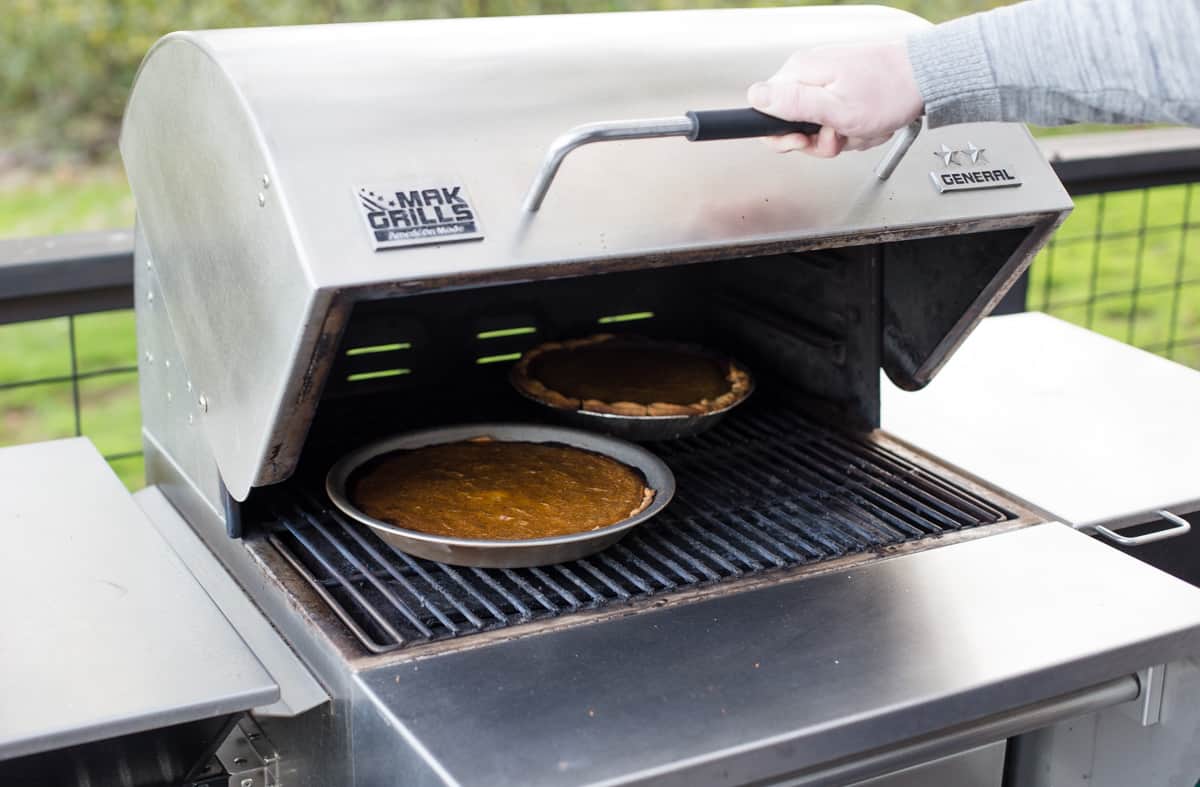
[{"x": 419, "y": 212}]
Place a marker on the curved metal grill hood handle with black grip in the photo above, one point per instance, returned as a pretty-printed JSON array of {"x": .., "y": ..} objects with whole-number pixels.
[{"x": 697, "y": 127}]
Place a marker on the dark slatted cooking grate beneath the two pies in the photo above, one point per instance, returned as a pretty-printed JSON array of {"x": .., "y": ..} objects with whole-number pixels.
[{"x": 766, "y": 490}]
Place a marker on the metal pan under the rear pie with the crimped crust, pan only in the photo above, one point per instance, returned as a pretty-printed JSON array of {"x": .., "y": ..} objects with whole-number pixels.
[{"x": 645, "y": 429}]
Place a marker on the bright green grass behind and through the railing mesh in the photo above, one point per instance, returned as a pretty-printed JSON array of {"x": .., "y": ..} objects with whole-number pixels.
[{"x": 1099, "y": 245}]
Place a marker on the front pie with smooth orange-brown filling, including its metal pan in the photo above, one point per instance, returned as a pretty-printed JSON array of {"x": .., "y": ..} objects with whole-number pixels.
[{"x": 501, "y": 495}]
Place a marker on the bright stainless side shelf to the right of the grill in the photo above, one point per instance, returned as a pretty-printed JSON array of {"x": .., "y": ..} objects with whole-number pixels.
[{"x": 1093, "y": 431}]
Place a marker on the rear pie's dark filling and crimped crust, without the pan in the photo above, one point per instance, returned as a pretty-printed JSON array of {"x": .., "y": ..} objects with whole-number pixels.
[{"x": 629, "y": 376}]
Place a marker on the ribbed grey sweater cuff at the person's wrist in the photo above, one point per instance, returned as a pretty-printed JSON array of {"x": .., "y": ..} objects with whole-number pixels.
[{"x": 953, "y": 74}]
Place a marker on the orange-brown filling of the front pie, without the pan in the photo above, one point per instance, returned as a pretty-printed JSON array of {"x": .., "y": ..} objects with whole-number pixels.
[{"x": 494, "y": 490}]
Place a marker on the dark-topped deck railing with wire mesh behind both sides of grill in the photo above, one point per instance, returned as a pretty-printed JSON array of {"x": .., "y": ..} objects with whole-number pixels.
[{"x": 1127, "y": 263}]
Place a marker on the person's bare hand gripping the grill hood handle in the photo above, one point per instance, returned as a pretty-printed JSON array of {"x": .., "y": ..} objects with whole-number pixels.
[{"x": 860, "y": 94}]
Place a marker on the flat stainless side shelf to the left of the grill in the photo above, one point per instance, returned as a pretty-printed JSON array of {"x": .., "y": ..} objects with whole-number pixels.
[{"x": 106, "y": 633}]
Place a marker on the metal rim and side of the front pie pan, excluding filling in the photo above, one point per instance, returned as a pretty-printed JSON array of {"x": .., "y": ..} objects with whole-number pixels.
[{"x": 497, "y": 554}]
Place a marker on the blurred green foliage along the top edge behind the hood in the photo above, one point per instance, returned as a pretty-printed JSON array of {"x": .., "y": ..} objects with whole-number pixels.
[{"x": 67, "y": 68}]
